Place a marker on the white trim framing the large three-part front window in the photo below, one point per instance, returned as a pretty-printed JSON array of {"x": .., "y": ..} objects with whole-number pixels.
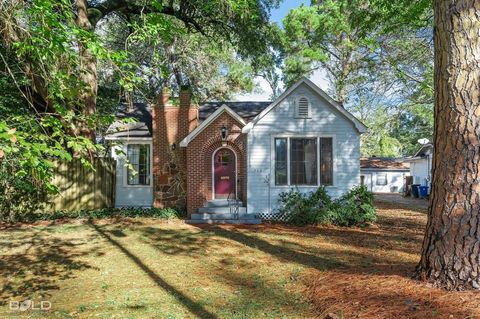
[{"x": 307, "y": 135}]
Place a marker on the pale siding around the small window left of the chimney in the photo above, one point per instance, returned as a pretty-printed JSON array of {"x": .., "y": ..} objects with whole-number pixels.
[{"x": 127, "y": 195}]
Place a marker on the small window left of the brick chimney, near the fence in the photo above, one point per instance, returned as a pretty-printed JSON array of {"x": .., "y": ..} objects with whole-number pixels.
[{"x": 139, "y": 158}]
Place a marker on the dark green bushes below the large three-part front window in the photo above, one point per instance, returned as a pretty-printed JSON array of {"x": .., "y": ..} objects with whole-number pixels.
[{"x": 355, "y": 208}]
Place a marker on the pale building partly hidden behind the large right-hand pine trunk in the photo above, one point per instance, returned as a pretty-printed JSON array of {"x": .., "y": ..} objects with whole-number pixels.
[{"x": 421, "y": 165}]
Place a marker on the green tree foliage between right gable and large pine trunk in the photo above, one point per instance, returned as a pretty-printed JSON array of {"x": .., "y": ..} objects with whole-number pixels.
[{"x": 378, "y": 57}]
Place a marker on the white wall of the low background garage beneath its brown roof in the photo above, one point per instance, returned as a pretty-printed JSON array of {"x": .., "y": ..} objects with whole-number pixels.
[{"x": 395, "y": 180}]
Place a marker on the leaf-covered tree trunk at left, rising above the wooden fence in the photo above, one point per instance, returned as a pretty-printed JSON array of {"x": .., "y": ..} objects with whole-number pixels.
[{"x": 88, "y": 71}]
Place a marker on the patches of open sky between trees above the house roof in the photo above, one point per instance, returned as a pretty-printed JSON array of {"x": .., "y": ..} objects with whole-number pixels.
[{"x": 263, "y": 91}]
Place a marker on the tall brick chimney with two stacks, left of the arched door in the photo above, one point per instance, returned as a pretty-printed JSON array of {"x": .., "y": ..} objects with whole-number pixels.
[{"x": 171, "y": 124}]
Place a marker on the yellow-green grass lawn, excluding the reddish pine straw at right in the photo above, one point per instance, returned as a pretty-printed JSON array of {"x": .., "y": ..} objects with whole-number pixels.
[{"x": 143, "y": 269}]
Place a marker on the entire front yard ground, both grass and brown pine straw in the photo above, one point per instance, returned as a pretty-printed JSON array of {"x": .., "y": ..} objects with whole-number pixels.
[{"x": 144, "y": 268}]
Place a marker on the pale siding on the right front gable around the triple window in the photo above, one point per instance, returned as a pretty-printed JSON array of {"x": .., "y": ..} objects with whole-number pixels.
[{"x": 262, "y": 194}]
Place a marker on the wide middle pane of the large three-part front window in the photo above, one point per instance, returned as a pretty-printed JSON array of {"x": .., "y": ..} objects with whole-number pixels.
[{"x": 303, "y": 161}]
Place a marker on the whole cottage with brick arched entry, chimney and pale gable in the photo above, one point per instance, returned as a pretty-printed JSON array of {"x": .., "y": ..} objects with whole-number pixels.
[{"x": 197, "y": 157}]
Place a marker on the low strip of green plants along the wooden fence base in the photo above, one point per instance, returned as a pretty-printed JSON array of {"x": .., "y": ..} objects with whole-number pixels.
[{"x": 166, "y": 213}]
